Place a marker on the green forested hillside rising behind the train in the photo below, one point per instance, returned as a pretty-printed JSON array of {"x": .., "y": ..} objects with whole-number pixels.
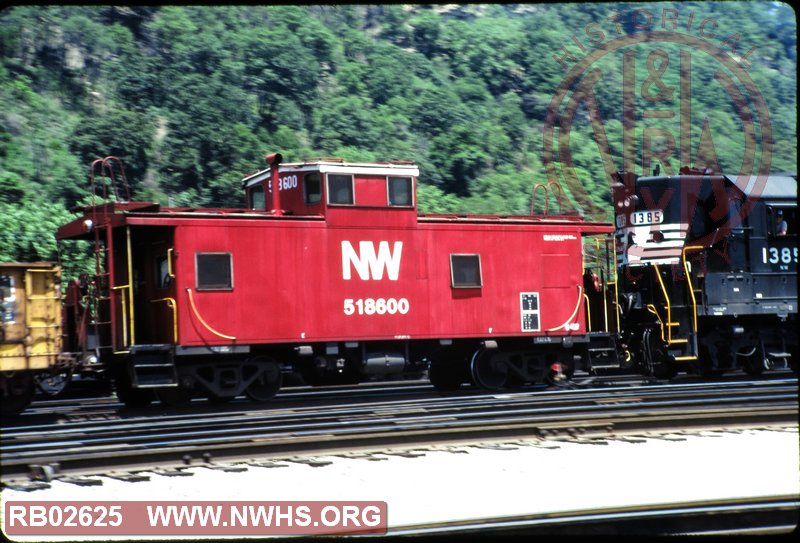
[{"x": 191, "y": 98}]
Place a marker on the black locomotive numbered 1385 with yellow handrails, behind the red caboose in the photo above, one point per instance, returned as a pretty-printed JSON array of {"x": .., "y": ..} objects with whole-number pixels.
[{"x": 707, "y": 271}]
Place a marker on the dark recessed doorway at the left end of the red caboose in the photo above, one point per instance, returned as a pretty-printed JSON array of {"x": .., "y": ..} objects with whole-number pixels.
[{"x": 155, "y": 286}]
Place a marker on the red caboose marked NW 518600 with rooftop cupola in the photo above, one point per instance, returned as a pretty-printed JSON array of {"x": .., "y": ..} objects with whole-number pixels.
[{"x": 330, "y": 271}]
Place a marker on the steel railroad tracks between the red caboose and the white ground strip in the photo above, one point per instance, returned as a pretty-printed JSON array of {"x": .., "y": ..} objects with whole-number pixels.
[{"x": 148, "y": 438}]
